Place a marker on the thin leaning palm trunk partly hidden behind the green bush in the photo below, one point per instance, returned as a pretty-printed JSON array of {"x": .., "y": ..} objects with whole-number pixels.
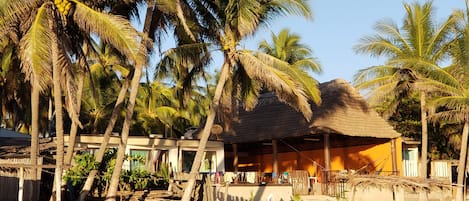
[{"x": 107, "y": 135}]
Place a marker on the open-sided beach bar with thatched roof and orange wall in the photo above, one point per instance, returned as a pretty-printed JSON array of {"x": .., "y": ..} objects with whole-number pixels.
[{"x": 273, "y": 143}]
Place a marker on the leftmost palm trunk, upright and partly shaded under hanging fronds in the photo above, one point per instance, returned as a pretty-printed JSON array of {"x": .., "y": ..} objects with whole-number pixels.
[{"x": 34, "y": 126}]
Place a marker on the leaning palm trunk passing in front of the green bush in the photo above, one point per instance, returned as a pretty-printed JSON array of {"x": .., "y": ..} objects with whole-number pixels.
[{"x": 112, "y": 193}]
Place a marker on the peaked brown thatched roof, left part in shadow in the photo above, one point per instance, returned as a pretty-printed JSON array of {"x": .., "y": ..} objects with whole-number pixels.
[{"x": 343, "y": 111}]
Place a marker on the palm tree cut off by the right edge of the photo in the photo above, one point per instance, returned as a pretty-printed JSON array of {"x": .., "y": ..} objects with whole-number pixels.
[{"x": 454, "y": 99}]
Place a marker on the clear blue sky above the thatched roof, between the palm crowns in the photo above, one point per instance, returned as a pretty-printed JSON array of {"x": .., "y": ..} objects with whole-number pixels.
[{"x": 337, "y": 26}]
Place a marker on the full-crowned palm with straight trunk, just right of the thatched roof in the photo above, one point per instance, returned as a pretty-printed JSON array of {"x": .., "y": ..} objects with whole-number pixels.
[{"x": 413, "y": 52}]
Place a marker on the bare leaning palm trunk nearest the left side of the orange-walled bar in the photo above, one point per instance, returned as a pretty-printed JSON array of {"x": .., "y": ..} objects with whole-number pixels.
[{"x": 206, "y": 132}]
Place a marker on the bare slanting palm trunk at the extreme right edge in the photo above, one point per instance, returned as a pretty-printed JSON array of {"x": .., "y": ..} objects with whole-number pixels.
[{"x": 462, "y": 163}]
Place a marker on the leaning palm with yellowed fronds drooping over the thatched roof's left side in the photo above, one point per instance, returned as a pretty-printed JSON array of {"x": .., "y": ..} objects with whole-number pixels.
[{"x": 228, "y": 23}]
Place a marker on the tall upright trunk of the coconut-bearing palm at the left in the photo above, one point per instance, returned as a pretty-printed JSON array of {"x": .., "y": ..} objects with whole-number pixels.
[{"x": 58, "y": 119}]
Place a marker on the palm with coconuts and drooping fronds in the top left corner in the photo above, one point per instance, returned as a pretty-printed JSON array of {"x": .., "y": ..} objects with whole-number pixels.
[{"x": 47, "y": 25}]
